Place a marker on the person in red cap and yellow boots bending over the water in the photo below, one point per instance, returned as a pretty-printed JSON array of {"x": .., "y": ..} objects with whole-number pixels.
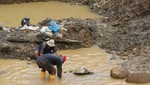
[{"x": 47, "y": 61}]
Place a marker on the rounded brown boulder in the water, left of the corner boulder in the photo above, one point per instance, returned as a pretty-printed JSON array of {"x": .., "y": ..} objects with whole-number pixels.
[{"x": 119, "y": 73}]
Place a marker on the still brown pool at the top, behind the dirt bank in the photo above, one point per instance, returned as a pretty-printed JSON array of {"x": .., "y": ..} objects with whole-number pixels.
[{"x": 11, "y": 15}]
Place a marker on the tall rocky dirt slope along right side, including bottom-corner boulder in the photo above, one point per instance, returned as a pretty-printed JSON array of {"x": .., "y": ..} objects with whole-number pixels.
[{"x": 127, "y": 32}]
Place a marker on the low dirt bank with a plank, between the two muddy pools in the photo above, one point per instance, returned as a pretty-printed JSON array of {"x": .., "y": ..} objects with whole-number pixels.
[{"x": 17, "y": 43}]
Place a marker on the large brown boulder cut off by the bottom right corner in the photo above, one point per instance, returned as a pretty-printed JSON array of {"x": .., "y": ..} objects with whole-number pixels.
[{"x": 138, "y": 78}]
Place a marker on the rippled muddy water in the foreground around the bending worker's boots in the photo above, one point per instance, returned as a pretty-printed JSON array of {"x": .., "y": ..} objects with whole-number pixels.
[{"x": 17, "y": 72}]
